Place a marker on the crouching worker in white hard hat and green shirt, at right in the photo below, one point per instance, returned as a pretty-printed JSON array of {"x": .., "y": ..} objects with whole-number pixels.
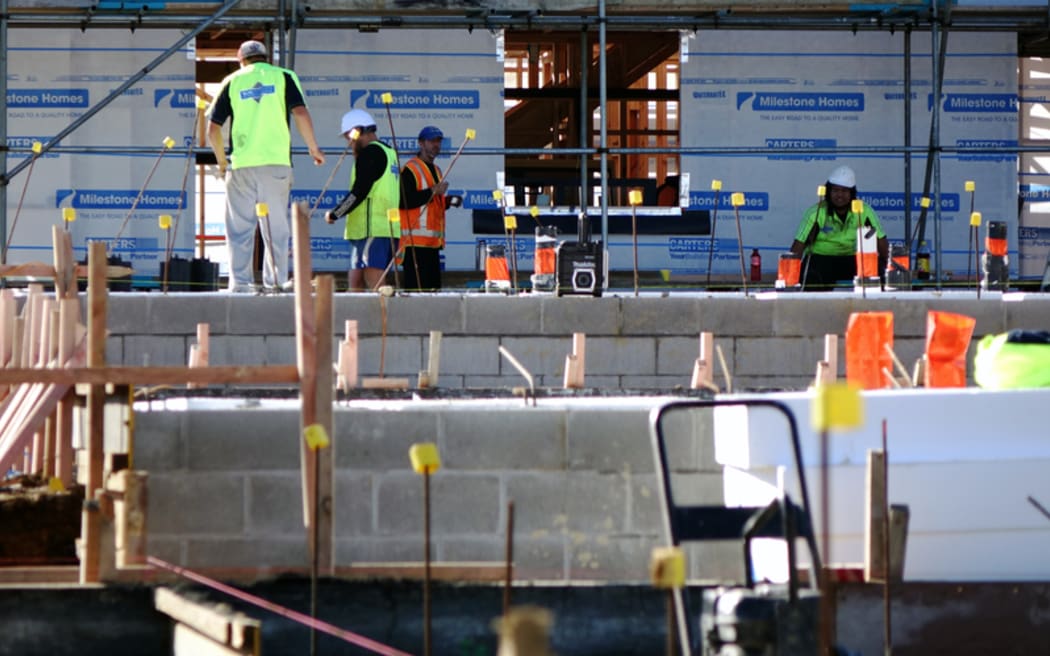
[{"x": 828, "y": 234}]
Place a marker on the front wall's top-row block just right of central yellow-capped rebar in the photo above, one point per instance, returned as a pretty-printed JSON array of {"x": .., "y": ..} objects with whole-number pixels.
[{"x": 512, "y": 439}]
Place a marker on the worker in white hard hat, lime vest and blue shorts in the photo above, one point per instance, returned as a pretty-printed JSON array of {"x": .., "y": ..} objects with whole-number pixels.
[{"x": 374, "y": 191}]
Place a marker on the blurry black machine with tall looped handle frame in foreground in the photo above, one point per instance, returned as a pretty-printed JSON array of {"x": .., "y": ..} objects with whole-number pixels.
[{"x": 754, "y": 619}]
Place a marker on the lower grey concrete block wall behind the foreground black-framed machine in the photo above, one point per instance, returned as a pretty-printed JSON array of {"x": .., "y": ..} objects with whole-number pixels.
[{"x": 225, "y": 493}]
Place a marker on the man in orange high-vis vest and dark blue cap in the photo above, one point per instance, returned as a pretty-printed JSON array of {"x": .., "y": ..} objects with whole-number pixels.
[{"x": 424, "y": 205}]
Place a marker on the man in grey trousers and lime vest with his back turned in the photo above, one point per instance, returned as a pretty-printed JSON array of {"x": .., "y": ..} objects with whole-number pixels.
[{"x": 258, "y": 100}]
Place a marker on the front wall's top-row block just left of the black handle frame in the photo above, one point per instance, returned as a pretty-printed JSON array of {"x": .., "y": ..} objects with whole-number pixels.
[{"x": 614, "y": 441}]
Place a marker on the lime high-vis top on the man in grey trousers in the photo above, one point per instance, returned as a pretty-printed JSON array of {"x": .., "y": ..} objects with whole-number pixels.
[{"x": 261, "y": 135}]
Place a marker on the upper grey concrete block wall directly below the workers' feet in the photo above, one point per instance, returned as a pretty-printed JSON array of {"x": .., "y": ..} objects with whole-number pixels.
[{"x": 645, "y": 343}]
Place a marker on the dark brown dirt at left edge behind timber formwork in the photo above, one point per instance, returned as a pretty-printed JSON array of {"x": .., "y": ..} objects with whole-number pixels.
[{"x": 38, "y": 526}]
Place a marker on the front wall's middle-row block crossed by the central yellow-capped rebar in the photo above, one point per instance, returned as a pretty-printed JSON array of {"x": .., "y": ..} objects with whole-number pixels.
[{"x": 459, "y": 504}]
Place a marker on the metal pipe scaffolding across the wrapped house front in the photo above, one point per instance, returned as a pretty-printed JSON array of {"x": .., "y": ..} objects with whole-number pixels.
[{"x": 286, "y": 18}]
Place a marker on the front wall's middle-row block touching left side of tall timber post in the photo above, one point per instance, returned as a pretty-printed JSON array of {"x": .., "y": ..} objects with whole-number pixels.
[{"x": 275, "y": 506}]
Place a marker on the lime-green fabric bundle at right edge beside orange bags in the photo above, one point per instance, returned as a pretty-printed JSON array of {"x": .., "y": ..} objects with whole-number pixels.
[{"x": 1002, "y": 365}]
